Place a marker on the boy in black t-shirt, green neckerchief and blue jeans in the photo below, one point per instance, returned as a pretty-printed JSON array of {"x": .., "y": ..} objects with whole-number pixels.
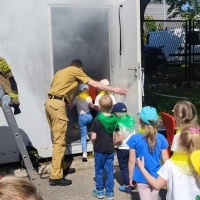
[{"x": 102, "y": 129}]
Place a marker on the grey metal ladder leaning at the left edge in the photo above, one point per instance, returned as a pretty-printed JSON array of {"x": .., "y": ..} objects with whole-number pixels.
[{"x": 5, "y": 101}]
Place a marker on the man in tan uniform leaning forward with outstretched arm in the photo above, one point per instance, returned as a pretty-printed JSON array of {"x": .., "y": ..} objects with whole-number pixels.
[{"x": 61, "y": 93}]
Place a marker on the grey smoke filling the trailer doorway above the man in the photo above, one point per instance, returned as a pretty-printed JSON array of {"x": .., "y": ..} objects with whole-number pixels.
[{"x": 81, "y": 33}]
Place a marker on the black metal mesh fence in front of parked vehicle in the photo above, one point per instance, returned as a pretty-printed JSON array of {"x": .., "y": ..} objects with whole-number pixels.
[{"x": 174, "y": 42}]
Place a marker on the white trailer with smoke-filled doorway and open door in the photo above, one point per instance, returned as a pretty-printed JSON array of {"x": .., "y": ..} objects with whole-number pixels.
[{"x": 39, "y": 37}]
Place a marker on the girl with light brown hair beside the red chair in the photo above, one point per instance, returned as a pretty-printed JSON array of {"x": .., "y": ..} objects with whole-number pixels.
[{"x": 184, "y": 113}]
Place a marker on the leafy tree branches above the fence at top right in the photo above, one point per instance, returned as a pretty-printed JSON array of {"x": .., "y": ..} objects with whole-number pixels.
[{"x": 187, "y": 9}]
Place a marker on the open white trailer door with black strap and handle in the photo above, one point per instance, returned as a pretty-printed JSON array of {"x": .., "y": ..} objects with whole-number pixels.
[{"x": 126, "y": 52}]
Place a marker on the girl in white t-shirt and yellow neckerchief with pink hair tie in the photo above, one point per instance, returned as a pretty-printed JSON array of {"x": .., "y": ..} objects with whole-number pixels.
[{"x": 178, "y": 172}]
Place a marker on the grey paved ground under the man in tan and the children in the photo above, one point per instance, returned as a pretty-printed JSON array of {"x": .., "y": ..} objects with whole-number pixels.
[{"x": 82, "y": 182}]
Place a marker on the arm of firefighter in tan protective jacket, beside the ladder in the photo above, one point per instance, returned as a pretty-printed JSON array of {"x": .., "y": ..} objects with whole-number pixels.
[{"x": 9, "y": 84}]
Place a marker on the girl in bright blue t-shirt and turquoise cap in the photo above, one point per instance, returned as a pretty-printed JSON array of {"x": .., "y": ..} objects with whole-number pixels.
[{"x": 151, "y": 145}]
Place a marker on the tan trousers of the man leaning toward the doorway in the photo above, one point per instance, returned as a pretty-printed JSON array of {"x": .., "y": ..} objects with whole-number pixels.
[{"x": 57, "y": 118}]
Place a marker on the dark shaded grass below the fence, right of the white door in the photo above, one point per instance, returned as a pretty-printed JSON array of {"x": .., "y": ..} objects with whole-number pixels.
[{"x": 164, "y": 87}]
